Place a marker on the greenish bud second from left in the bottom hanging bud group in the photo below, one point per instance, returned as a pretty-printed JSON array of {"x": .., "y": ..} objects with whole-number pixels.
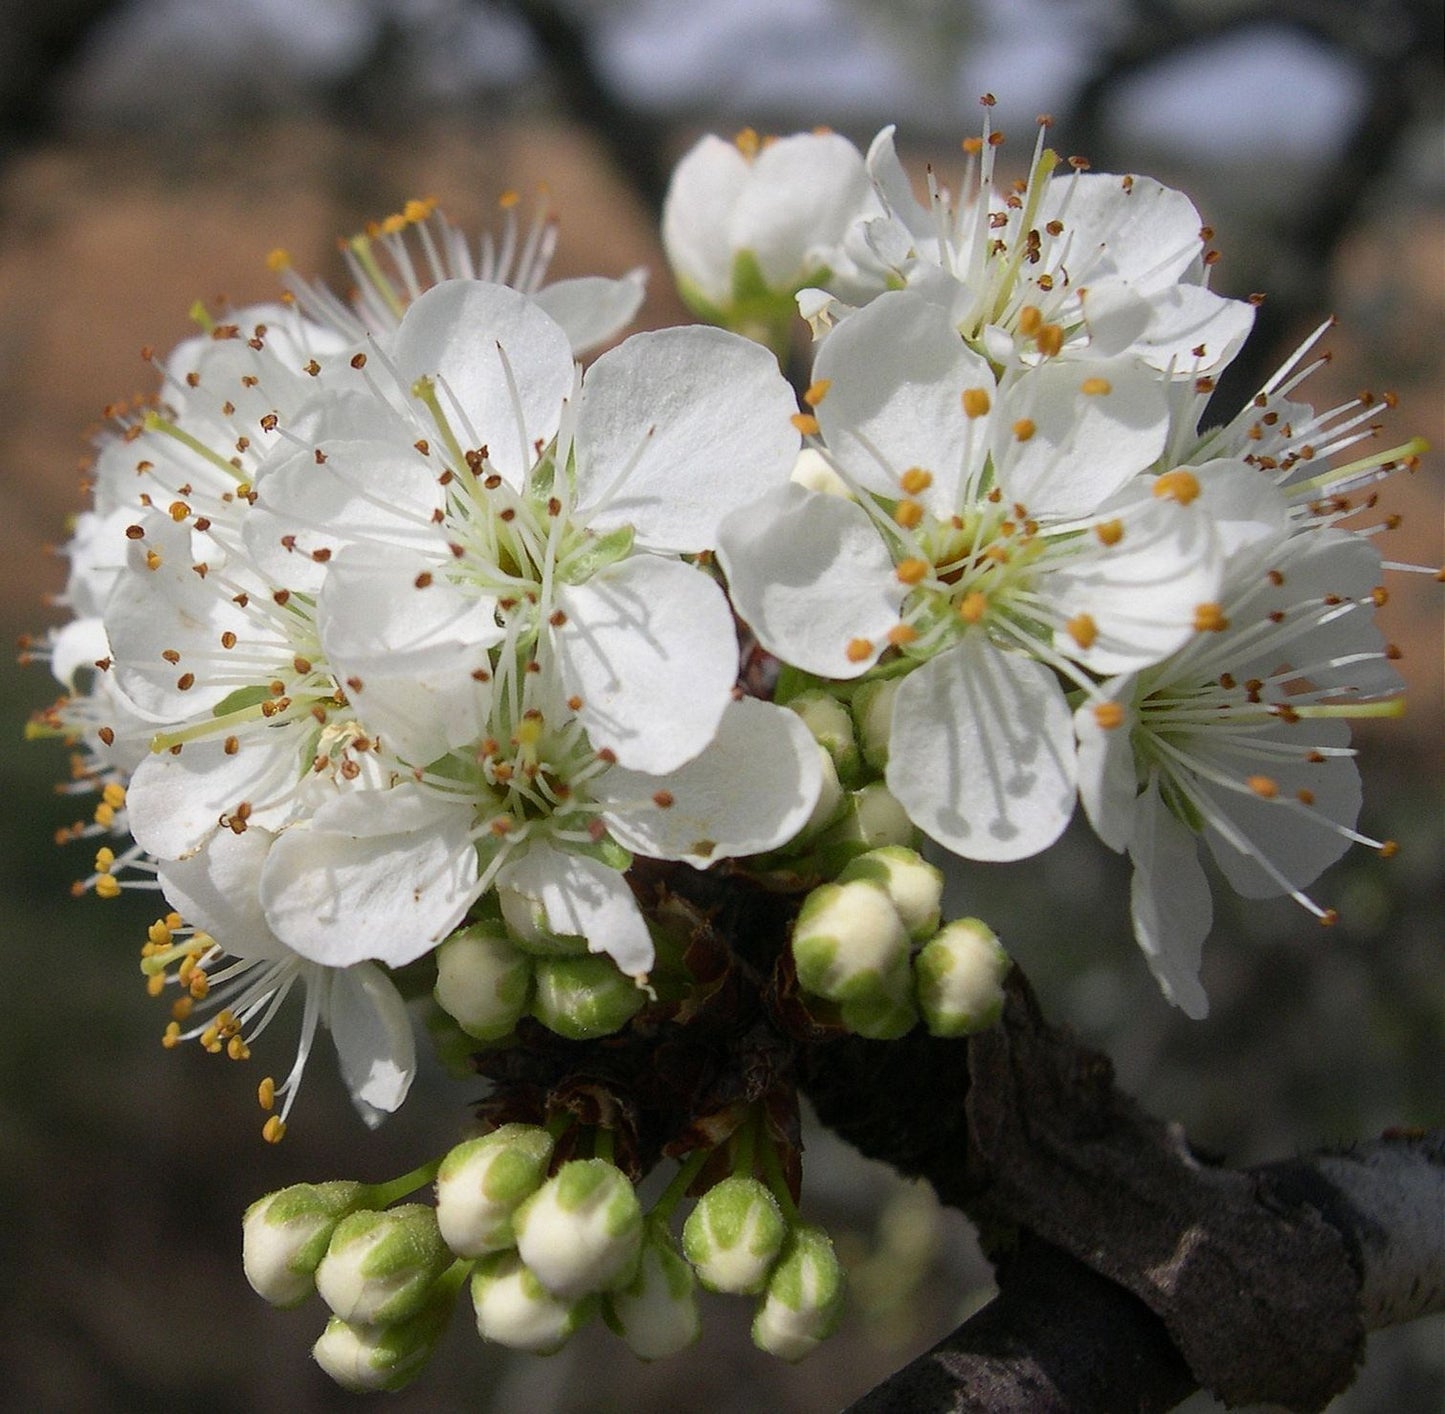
[{"x": 381, "y": 1266}]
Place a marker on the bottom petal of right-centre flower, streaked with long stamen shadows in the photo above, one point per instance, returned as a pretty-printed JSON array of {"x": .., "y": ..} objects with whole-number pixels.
[{"x": 982, "y": 752}]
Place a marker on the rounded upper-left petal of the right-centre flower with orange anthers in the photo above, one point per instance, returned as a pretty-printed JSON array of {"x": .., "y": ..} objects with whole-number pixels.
[{"x": 897, "y": 373}]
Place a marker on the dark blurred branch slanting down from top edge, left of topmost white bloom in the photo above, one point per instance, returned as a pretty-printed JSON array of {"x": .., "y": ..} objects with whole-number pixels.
[{"x": 635, "y": 144}]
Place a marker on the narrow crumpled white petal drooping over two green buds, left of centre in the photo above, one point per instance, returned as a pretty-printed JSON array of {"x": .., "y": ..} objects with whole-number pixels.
[{"x": 583, "y": 898}]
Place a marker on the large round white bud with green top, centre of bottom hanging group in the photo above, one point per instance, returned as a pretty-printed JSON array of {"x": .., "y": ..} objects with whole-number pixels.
[{"x": 582, "y": 1231}]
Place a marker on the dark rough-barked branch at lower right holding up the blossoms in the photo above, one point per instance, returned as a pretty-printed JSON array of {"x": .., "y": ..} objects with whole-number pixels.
[{"x": 1131, "y": 1270}]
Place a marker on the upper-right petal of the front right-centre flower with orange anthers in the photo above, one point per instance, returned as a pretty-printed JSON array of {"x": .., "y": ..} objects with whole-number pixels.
[{"x": 1086, "y": 444}]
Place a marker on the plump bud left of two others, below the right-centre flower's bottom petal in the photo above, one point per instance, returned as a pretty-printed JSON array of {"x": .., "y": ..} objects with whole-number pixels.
[{"x": 850, "y": 944}]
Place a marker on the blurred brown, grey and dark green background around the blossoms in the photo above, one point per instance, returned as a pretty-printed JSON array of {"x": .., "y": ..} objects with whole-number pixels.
[{"x": 152, "y": 152}]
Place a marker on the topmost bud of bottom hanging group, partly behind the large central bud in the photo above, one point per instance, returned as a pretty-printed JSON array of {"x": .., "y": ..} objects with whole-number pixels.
[{"x": 483, "y": 1182}]
